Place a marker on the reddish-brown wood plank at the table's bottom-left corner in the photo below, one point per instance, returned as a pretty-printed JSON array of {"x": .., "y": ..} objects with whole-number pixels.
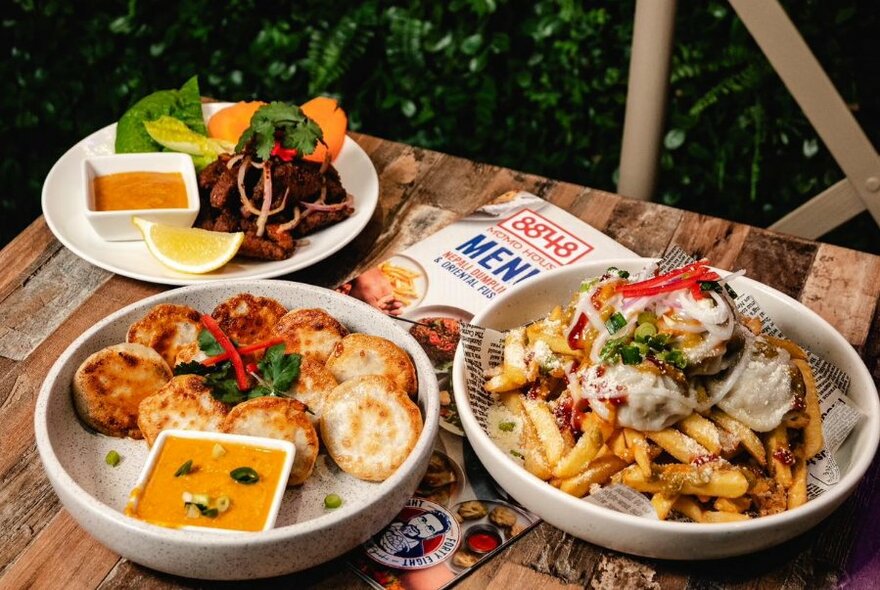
[{"x": 64, "y": 556}]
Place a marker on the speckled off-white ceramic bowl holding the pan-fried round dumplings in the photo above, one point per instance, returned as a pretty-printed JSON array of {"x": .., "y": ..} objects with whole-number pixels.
[{"x": 305, "y": 534}]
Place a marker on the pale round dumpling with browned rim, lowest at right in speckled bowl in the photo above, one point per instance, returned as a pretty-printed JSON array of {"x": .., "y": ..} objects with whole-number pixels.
[{"x": 369, "y": 427}]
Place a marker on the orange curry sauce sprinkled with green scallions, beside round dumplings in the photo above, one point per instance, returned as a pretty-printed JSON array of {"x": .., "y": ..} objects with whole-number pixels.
[{"x": 208, "y": 482}]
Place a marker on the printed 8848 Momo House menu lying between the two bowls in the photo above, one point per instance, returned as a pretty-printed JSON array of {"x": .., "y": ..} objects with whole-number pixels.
[{"x": 459, "y": 515}]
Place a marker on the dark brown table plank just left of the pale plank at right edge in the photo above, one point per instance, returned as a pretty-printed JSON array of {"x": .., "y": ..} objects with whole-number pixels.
[{"x": 782, "y": 262}]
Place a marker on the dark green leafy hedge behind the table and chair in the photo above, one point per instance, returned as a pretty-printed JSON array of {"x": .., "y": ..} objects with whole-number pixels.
[{"x": 537, "y": 86}]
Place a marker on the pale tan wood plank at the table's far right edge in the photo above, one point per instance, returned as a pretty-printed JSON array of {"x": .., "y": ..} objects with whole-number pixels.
[{"x": 851, "y": 309}]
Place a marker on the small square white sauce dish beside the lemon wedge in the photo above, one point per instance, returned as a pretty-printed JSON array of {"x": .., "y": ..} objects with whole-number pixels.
[{"x": 116, "y": 226}]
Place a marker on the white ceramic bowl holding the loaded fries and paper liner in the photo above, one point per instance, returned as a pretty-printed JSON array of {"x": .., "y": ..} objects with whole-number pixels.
[{"x": 663, "y": 539}]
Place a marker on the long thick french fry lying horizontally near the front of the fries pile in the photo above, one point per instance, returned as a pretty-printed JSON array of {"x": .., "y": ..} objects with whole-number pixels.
[{"x": 685, "y": 479}]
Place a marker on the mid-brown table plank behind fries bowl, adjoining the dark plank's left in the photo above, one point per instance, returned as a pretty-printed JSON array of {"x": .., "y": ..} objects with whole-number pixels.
[{"x": 719, "y": 240}]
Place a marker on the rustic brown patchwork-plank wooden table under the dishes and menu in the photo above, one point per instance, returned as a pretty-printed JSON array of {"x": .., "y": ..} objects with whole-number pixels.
[{"x": 48, "y": 297}]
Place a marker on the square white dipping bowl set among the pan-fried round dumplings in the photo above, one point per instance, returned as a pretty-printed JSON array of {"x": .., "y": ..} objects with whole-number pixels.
[{"x": 250, "y": 441}]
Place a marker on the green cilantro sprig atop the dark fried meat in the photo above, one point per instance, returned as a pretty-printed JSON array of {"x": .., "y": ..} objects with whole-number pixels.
[{"x": 283, "y": 123}]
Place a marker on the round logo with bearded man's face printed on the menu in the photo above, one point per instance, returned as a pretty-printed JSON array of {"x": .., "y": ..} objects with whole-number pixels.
[{"x": 422, "y": 535}]
